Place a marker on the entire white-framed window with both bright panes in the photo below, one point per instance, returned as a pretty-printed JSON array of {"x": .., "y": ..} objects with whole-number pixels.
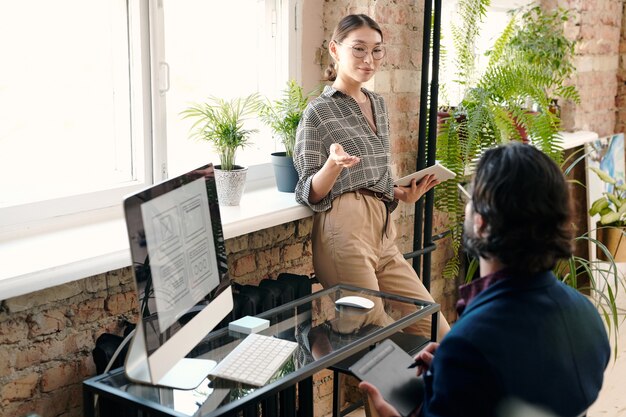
[{"x": 91, "y": 92}]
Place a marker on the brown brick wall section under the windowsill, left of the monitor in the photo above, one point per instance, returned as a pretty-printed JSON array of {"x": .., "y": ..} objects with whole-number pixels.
[{"x": 46, "y": 340}]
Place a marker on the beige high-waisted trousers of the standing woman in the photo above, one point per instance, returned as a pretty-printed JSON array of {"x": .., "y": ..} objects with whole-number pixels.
[{"x": 350, "y": 246}]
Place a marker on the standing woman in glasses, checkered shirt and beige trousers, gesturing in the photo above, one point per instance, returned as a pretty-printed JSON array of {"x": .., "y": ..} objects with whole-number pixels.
[{"x": 343, "y": 159}]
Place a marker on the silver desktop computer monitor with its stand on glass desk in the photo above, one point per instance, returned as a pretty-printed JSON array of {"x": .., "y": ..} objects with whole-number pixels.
[{"x": 180, "y": 269}]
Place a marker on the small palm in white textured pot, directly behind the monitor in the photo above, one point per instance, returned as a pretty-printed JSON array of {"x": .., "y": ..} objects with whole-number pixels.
[{"x": 221, "y": 122}]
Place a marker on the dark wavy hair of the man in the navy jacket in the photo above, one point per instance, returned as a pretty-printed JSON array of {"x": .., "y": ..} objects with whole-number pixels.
[{"x": 524, "y": 200}]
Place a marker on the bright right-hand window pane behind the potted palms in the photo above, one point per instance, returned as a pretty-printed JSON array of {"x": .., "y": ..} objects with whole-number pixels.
[{"x": 210, "y": 55}]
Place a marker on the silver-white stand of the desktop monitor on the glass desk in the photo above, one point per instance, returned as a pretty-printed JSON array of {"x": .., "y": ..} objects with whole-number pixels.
[{"x": 186, "y": 374}]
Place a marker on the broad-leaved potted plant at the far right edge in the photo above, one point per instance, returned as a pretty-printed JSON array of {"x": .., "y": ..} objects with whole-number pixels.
[{"x": 611, "y": 228}]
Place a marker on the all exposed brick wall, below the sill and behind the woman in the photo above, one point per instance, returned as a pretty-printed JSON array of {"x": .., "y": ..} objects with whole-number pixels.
[{"x": 46, "y": 337}]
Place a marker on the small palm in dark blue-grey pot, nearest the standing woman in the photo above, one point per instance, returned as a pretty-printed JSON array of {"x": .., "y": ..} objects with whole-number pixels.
[{"x": 283, "y": 116}]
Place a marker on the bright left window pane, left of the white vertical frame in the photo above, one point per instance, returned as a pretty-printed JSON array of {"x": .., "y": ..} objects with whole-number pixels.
[{"x": 64, "y": 100}]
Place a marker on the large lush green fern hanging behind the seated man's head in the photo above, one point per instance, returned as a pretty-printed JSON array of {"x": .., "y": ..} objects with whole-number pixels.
[{"x": 495, "y": 105}]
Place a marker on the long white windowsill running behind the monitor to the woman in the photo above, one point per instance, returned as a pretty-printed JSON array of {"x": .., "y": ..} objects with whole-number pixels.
[{"x": 32, "y": 263}]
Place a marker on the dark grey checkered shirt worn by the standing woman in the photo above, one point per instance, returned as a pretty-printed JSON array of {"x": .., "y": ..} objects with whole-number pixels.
[{"x": 334, "y": 117}]
